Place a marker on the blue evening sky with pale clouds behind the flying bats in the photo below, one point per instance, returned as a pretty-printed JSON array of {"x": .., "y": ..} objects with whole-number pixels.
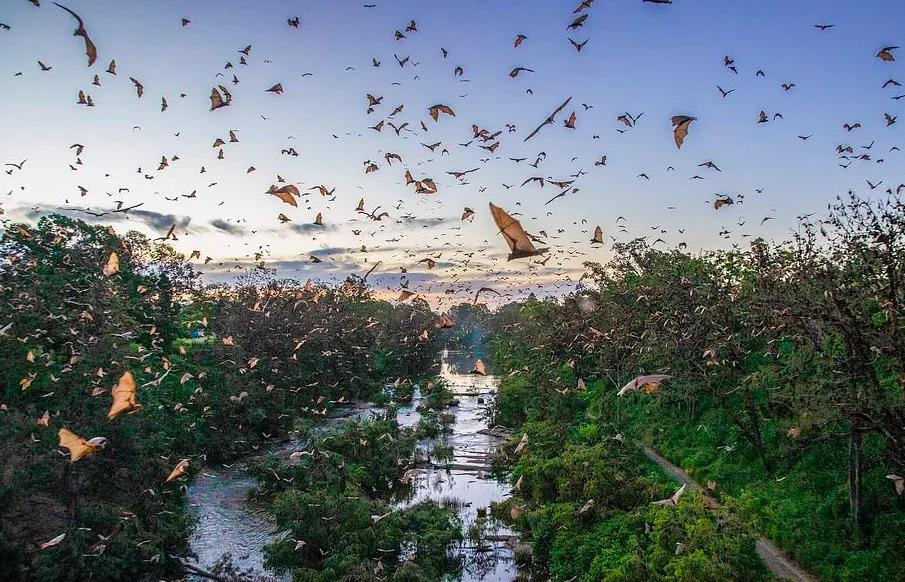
[{"x": 661, "y": 60}]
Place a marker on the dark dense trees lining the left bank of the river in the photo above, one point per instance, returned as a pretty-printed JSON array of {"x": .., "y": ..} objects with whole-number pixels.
[{"x": 220, "y": 371}]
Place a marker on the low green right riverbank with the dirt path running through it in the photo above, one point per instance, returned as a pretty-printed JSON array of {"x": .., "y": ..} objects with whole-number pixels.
[{"x": 595, "y": 429}]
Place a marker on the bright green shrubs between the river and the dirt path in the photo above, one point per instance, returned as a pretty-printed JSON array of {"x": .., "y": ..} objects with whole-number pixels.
[{"x": 593, "y": 506}]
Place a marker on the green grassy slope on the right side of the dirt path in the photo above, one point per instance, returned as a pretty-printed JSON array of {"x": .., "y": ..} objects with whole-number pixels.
[{"x": 802, "y": 506}]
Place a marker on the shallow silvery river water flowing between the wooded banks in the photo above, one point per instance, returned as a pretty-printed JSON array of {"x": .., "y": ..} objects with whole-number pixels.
[{"x": 228, "y": 522}]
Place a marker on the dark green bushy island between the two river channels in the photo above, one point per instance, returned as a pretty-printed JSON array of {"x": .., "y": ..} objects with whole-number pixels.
[{"x": 334, "y": 504}]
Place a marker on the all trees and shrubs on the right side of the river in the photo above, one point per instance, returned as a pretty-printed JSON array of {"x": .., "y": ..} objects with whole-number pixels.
[{"x": 788, "y": 370}]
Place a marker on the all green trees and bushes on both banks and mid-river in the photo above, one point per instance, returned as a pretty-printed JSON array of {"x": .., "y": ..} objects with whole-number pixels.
[{"x": 785, "y": 398}]
